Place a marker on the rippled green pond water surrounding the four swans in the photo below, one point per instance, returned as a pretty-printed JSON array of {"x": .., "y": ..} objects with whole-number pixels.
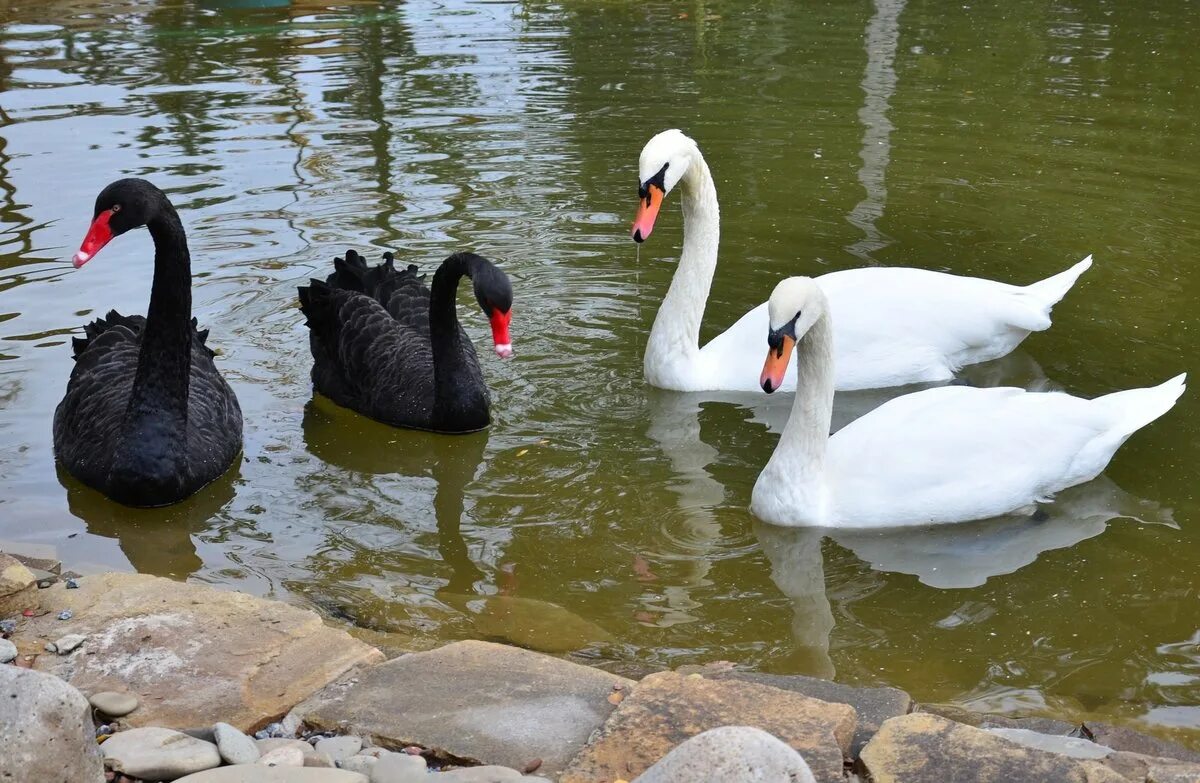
[{"x": 599, "y": 517}]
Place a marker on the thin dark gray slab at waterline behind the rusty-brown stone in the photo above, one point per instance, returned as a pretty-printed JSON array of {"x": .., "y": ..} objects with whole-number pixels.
[{"x": 873, "y": 706}]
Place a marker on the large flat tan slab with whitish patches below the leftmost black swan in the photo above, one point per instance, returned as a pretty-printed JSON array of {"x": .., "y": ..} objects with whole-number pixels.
[{"x": 190, "y": 654}]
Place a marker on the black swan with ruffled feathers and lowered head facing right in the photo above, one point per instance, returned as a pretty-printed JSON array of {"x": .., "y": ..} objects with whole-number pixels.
[{"x": 389, "y": 348}]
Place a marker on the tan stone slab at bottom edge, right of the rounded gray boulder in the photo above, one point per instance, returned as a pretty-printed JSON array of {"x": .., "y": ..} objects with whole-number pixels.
[{"x": 927, "y": 749}]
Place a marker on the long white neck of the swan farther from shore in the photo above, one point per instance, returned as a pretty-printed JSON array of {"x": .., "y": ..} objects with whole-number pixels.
[{"x": 674, "y": 348}]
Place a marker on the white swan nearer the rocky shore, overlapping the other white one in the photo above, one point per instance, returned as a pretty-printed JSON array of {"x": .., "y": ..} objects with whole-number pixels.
[{"x": 941, "y": 456}]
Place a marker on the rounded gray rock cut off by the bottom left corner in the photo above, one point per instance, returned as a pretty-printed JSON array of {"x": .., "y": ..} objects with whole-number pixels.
[{"x": 38, "y": 713}]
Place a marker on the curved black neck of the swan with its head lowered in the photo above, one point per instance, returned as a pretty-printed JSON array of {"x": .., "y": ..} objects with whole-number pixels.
[{"x": 460, "y": 402}]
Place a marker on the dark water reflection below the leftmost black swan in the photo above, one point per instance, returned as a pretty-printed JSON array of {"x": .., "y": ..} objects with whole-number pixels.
[{"x": 157, "y": 541}]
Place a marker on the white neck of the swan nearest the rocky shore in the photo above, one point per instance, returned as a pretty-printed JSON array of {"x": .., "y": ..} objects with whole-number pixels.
[{"x": 791, "y": 491}]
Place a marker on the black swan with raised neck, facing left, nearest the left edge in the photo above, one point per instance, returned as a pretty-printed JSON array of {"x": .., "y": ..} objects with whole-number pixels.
[{"x": 147, "y": 419}]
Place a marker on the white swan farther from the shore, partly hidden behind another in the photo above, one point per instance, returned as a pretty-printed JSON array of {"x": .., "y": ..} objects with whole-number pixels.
[{"x": 896, "y": 326}]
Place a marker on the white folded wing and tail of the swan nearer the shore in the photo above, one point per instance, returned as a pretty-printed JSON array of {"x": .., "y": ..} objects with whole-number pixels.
[{"x": 955, "y": 453}]
